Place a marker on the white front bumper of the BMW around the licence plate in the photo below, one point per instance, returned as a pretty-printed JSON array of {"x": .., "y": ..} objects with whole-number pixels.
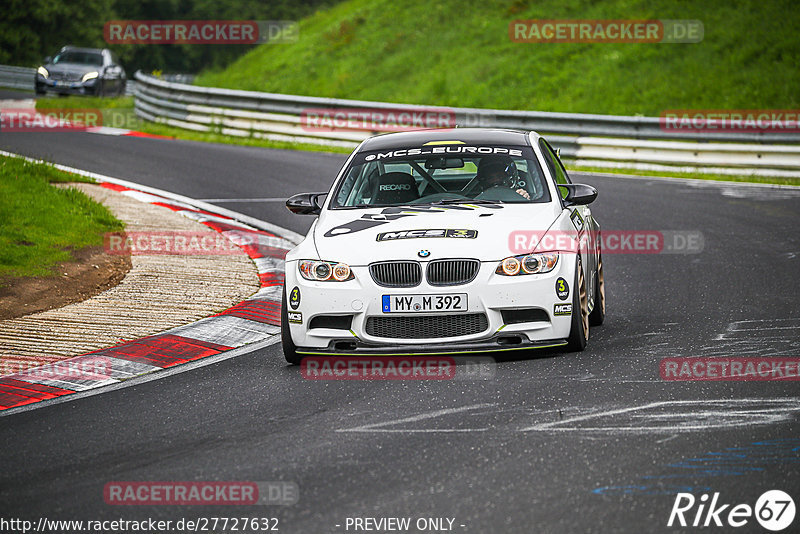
[{"x": 490, "y": 294}]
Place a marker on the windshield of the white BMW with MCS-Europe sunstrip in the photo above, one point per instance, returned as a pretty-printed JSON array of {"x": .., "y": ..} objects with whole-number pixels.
[{"x": 451, "y": 174}]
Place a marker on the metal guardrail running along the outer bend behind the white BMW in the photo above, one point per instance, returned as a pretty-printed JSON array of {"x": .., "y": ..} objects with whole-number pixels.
[{"x": 593, "y": 140}]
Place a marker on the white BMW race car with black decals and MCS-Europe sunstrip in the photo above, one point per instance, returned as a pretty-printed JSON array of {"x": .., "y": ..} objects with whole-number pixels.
[{"x": 445, "y": 241}]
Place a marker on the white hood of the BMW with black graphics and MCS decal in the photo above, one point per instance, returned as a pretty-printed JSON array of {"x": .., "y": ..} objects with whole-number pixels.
[{"x": 362, "y": 236}]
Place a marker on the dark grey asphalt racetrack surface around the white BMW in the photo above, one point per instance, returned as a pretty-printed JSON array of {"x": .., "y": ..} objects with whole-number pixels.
[{"x": 589, "y": 442}]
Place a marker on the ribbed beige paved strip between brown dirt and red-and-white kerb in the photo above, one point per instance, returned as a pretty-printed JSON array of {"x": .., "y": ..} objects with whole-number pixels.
[{"x": 160, "y": 292}]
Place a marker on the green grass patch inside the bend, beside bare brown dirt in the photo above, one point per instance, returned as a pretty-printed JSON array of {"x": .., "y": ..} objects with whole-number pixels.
[{"x": 41, "y": 225}]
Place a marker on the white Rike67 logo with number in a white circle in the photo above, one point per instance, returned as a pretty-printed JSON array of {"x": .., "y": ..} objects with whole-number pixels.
[{"x": 774, "y": 511}]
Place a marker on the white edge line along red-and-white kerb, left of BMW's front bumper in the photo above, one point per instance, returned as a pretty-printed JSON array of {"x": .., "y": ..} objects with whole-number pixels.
[{"x": 141, "y": 379}]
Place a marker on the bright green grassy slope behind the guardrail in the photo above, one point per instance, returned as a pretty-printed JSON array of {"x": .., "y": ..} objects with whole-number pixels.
[{"x": 459, "y": 53}]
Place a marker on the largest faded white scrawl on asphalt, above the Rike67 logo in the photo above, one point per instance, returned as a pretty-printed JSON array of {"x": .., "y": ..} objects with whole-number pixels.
[{"x": 698, "y": 415}]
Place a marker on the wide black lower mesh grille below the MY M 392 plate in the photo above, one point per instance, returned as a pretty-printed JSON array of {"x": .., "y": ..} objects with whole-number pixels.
[{"x": 428, "y": 326}]
